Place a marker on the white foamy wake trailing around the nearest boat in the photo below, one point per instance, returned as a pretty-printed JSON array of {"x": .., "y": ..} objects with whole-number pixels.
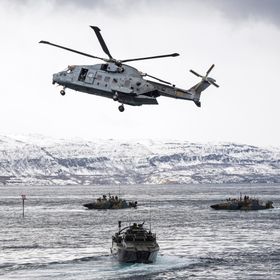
[{"x": 105, "y": 266}]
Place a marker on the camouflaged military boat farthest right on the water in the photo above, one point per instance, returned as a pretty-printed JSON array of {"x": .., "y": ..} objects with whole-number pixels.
[{"x": 243, "y": 203}]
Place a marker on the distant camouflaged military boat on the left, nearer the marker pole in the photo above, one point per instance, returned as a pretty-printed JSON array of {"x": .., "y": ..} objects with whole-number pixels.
[{"x": 110, "y": 202}]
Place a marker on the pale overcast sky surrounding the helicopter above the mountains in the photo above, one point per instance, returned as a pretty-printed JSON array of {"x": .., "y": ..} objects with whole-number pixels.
[{"x": 241, "y": 37}]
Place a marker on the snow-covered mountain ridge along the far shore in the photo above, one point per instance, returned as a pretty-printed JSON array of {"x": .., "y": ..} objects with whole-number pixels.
[{"x": 44, "y": 161}]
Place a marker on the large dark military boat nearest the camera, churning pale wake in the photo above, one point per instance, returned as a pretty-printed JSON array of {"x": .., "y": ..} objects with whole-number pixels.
[{"x": 134, "y": 244}]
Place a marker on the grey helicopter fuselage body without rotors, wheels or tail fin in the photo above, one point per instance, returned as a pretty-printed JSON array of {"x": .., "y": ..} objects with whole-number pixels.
[{"x": 124, "y": 84}]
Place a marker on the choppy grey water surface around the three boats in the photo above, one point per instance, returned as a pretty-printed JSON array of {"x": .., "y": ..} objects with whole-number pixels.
[{"x": 59, "y": 239}]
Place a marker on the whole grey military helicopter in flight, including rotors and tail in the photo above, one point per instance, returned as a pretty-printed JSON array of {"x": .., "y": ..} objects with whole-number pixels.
[{"x": 123, "y": 83}]
